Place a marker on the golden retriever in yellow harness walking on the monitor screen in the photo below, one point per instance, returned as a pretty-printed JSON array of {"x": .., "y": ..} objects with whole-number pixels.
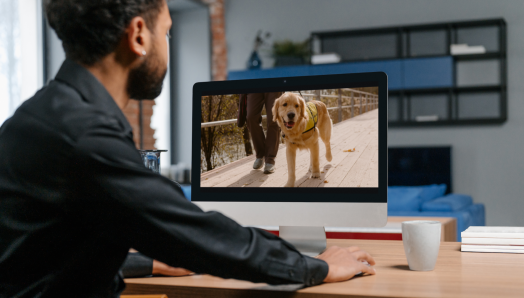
[{"x": 293, "y": 116}]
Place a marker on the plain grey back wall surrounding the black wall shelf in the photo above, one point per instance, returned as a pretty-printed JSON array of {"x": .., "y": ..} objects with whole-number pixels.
[{"x": 488, "y": 161}]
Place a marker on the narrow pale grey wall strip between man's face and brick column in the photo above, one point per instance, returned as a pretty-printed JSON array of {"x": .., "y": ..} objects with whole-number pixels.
[{"x": 191, "y": 56}]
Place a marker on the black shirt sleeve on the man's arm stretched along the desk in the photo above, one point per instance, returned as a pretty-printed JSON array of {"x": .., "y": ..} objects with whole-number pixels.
[{"x": 146, "y": 211}]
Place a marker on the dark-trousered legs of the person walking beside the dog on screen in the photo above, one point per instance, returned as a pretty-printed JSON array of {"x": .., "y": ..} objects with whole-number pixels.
[{"x": 266, "y": 147}]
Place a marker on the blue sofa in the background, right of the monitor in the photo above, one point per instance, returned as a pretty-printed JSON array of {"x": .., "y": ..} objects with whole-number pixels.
[{"x": 430, "y": 201}]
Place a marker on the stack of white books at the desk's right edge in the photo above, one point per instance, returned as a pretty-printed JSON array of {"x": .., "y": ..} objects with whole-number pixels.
[{"x": 493, "y": 239}]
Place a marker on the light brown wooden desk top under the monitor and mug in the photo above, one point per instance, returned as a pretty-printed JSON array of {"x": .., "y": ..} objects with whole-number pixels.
[{"x": 457, "y": 274}]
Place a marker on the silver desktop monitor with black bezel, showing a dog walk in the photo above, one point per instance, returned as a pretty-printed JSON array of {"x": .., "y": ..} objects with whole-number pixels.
[{"x": 339, "y": 160}]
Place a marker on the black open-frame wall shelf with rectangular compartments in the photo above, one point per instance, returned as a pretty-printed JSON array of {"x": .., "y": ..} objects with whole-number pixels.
[{"x": 403, "y": 51}]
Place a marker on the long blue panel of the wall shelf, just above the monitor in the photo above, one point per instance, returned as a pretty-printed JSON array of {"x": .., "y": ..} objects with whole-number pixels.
[{"x": 402, "y": 73}]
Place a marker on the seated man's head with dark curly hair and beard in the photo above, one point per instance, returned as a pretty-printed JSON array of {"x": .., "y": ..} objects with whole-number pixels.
[{"x": 132, "y": 31}]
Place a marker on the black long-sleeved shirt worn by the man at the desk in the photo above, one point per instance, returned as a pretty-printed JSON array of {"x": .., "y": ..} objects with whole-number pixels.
[{"x": 75, "y": 196}]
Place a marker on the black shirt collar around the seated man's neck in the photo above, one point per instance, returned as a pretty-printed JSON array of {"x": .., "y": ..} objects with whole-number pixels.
[{"x": 91, "y": 89}]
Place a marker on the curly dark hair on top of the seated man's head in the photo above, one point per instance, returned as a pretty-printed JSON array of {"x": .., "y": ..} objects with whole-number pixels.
[{"x": 91, "y": 29}]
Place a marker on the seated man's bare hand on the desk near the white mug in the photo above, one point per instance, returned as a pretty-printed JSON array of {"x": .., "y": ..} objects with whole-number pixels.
[{"x": 344, "y": 263}]
